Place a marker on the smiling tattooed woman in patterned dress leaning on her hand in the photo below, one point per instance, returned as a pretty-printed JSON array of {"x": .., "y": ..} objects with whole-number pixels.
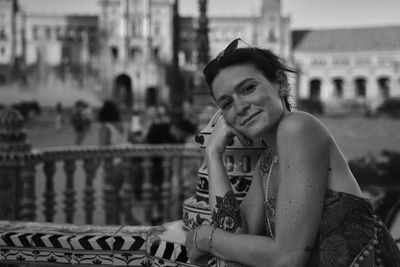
[{"x": 304, "y": 206}]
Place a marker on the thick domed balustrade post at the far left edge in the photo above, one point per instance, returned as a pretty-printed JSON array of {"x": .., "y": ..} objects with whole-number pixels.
[{"x": 16, "y": 168}]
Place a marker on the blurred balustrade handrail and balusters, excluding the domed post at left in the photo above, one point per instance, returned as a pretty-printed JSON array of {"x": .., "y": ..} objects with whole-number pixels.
[{"x": 134, "y": 161}]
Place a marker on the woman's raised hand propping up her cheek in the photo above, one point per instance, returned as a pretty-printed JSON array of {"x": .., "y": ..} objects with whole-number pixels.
[{"x": 222, "y": 135}]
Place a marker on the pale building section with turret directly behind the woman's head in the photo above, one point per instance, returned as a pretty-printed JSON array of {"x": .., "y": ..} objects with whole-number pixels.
[{"x": 269, "y": 29}]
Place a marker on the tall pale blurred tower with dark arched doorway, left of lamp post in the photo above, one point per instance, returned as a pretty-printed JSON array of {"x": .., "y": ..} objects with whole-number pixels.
[{"x": 136, "y": 47}]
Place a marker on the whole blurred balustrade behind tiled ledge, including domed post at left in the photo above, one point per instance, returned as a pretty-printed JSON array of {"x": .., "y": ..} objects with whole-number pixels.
[{"x": 19, "y": 165}]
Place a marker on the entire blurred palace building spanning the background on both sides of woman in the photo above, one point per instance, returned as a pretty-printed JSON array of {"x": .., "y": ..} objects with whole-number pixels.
[{"x": 125, "y": 51}]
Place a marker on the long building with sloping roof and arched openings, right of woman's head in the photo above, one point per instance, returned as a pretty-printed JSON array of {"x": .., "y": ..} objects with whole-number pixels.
[{"x": 360, "y": 65}]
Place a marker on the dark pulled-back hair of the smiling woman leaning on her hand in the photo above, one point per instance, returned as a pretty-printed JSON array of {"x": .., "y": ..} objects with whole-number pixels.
[{"x": 269, "y": 64}]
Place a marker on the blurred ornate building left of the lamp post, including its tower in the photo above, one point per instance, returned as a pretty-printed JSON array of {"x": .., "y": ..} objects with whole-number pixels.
[{"x": 121, "y": 53}]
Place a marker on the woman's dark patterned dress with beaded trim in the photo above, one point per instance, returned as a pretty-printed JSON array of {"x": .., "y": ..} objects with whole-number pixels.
[{"x": 350, "y": 234}]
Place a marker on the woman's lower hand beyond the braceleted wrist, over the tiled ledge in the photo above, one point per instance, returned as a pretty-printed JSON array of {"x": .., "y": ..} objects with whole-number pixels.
[{"x": 196, "y": 256}]
